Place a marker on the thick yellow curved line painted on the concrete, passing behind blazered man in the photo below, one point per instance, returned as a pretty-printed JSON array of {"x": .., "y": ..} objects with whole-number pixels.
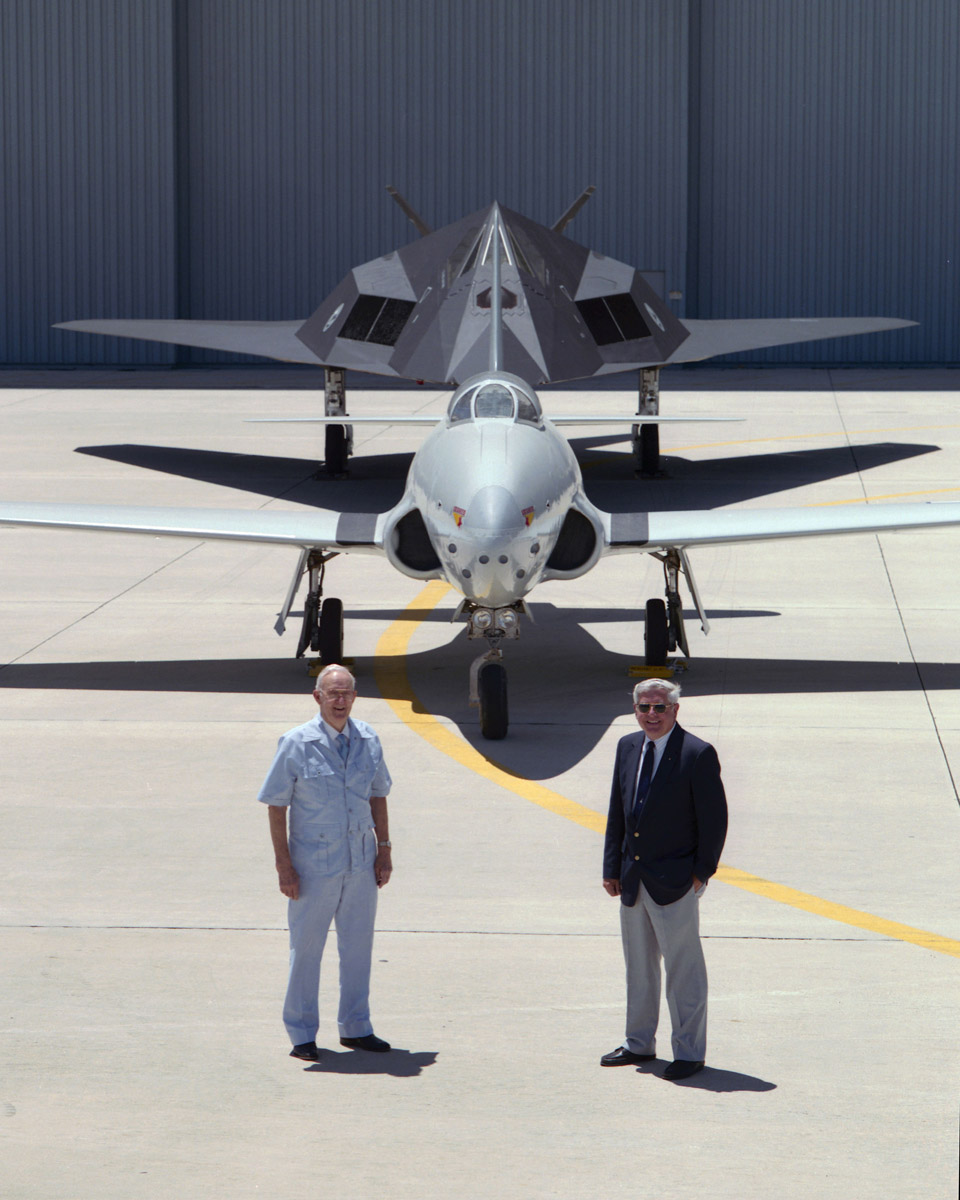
[{"x": 391, "y": 671}]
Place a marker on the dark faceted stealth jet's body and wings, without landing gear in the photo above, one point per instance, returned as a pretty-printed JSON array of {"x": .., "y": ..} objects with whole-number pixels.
[{"x": 417, "y": 314}]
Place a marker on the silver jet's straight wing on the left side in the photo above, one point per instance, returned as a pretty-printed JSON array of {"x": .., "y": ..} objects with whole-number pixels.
[{"x": 319, "y": 529}]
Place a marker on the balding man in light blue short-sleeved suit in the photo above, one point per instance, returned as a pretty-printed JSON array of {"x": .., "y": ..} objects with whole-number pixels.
[{"x": 331, "y": 777}]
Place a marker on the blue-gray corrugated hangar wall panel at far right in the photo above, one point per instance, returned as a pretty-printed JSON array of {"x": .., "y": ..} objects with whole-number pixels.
[{"x": 829, "y": 171}]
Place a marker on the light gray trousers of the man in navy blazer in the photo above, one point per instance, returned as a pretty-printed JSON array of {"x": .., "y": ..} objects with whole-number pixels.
[{"x": 652, "y": 932}]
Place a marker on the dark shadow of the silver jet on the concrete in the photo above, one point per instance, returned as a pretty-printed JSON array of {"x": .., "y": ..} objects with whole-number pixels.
[{"x": 566, "y": 687}]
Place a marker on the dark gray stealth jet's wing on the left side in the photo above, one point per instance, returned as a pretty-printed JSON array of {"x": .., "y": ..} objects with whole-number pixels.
[{"x": 267, "y": 339}]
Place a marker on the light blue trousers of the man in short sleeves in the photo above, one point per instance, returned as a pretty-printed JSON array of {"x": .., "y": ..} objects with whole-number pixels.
[{"x": 351, "y": 903}]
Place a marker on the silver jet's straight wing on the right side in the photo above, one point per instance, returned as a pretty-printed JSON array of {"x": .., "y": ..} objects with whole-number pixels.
[{"x": 717, "y": 527}]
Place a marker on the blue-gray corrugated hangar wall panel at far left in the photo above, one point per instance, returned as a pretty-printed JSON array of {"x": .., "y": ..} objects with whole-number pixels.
[{"x": 86, "y": 175}]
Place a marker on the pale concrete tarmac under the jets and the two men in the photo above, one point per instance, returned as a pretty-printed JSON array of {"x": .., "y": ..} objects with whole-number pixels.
[{"x": 143, "y": 934}]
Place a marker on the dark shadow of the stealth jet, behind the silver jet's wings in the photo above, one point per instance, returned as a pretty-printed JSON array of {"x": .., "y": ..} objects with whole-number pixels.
[{"x": 376, "y": 482}]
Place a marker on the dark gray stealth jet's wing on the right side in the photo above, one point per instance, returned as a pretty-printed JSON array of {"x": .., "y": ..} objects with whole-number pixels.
[{"x": 711, "y": 338}]
